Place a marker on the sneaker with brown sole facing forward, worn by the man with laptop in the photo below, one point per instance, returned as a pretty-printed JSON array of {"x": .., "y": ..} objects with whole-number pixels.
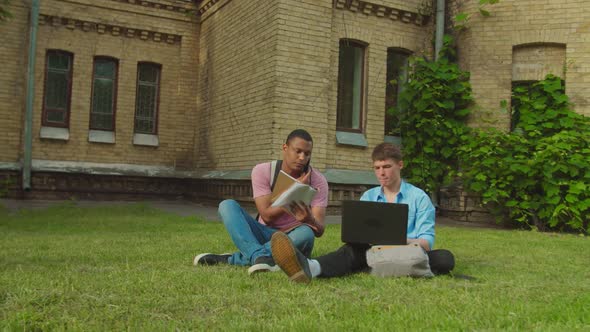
[{"x": 291, "y": 260}]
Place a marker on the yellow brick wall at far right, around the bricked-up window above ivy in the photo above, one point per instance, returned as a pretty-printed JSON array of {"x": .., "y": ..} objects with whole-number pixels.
[{"x": 486, "y": 49}]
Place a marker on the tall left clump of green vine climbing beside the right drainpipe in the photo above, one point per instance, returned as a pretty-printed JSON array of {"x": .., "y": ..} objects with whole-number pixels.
[{"x": 432, "y": 111}]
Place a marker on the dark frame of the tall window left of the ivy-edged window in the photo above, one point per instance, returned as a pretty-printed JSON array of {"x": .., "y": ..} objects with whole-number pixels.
[{"x": 363, "y": 81}]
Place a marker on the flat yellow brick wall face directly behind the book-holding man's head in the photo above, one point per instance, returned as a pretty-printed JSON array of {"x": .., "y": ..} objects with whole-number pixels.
[{"x": 302, "y": 82}]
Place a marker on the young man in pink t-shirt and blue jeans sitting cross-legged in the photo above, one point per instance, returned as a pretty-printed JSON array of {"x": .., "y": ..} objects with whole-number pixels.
[{"x": 301, "y": 223}]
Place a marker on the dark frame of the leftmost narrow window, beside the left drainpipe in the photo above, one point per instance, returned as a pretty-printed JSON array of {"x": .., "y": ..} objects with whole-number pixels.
[{"x": 44, "y": 121}]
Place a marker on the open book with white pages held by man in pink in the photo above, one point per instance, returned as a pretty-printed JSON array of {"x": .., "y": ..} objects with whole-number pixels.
[{"x": 288, "y": 190}]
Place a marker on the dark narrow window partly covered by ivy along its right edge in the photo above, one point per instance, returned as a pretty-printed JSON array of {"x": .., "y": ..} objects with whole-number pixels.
[{"x": 396, "y": 78}]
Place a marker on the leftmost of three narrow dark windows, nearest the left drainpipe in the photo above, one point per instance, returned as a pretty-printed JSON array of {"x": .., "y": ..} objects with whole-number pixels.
[{"x": 58, "y": 87}]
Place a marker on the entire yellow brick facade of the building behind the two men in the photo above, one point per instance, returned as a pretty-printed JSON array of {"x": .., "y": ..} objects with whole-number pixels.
[{"x": 235, "y": 84}]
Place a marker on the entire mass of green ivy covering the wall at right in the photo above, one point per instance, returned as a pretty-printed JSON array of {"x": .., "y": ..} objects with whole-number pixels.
[{"x": 538, "y": 175}]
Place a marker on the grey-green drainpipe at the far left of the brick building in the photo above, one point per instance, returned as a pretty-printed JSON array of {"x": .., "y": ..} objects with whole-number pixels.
[{"x": 30, "y": 96}]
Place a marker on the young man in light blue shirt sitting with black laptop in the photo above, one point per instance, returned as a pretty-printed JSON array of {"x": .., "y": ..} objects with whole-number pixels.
[{"x": 352, "y": 256}]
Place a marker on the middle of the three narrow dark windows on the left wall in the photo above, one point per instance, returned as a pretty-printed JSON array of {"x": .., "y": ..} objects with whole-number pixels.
[{"x": 104, "y": 94}]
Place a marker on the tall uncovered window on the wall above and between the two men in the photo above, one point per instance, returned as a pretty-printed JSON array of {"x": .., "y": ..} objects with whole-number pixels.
[{"x": 351, "y": 67}]
